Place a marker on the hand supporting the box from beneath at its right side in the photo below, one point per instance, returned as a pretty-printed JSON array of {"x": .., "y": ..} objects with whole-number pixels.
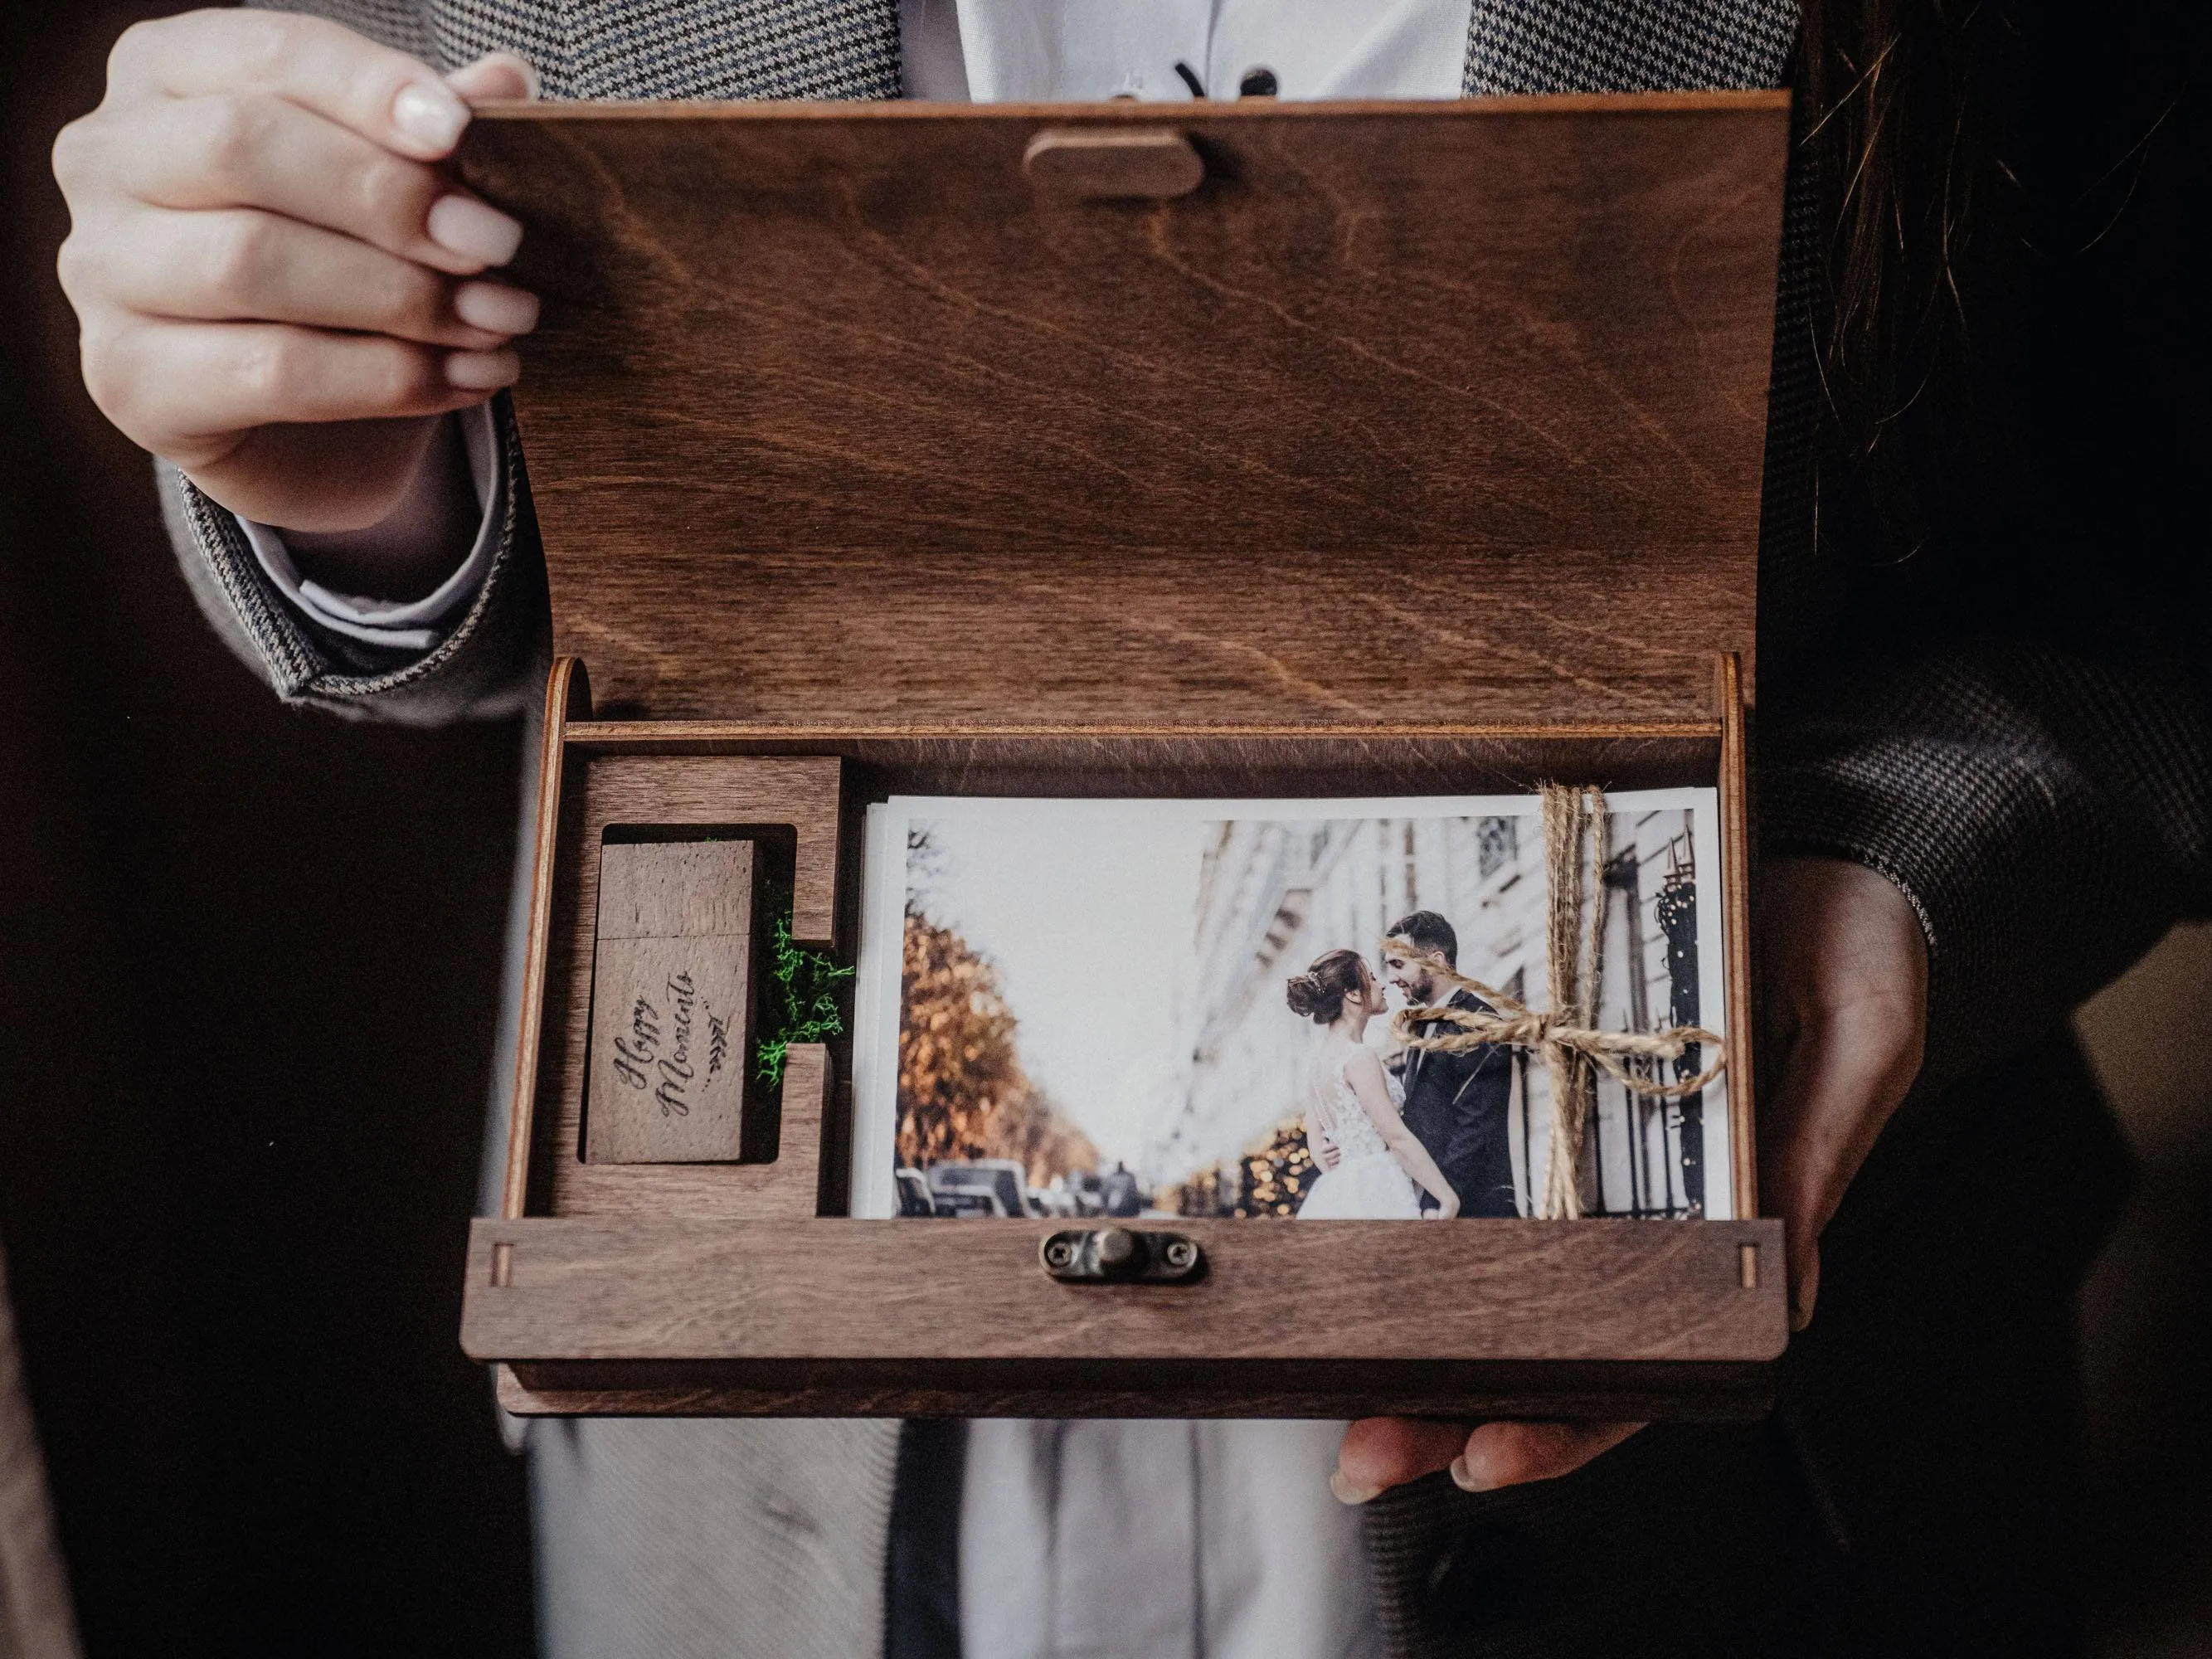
[{"x": 1844, "y": 1001}]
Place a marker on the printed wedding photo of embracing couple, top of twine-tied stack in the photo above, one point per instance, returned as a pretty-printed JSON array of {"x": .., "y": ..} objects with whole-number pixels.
[{"x": 1211, "y": 1010}]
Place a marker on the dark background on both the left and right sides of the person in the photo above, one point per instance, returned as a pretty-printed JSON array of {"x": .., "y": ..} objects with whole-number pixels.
[{"x": 249, "y": 968}]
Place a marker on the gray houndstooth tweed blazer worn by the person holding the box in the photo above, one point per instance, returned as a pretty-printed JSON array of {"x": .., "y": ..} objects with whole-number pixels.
[{"x": 2045, "y": 813}]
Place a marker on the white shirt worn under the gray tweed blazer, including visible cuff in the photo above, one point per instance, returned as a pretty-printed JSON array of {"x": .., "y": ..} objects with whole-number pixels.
[{"x": 1103, "y": 1541}]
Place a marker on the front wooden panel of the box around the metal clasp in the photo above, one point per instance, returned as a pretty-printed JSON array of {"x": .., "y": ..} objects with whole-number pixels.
[{"x": 1390, "y": 1311}]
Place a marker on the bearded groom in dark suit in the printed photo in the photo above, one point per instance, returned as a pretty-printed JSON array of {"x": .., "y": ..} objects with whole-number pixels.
[{"x": 1454, "y": 1103}]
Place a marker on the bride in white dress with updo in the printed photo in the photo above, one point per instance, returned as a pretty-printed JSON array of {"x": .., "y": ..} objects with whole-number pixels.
[{"x": 1370, "y": 1160}]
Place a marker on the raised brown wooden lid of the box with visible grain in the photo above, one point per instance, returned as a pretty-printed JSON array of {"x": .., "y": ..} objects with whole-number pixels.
[{"x": 1406, "y": 415}]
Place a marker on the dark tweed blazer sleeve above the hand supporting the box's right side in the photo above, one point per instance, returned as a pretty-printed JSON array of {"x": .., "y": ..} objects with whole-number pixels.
[{"x": 2014, "y": 800}]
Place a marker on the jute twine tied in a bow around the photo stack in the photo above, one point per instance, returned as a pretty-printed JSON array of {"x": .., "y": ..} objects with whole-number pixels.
[{"x": 1576, "y": 828}]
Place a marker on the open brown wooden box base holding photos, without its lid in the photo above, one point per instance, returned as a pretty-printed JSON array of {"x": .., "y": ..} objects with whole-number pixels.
[{"x": 742, "y": 1291}]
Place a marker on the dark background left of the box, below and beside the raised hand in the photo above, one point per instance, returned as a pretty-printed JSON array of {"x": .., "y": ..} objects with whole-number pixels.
[{"x": 249, "y": 972}]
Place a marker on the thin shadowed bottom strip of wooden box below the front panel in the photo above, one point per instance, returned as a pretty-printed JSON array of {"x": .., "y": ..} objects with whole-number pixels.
[{"x": 1636, "y": 1392}]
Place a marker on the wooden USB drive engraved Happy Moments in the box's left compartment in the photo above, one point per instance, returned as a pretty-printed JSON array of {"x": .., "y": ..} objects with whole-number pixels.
[{"x": 671, "y": 1010}]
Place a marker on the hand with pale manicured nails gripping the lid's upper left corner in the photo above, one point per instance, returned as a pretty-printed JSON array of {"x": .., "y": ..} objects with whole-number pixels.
[{"x": 278, "y": 289}]
